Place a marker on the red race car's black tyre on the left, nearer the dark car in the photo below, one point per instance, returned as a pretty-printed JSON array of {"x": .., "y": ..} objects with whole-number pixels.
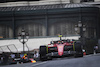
[{"x": 43, "y": 52}]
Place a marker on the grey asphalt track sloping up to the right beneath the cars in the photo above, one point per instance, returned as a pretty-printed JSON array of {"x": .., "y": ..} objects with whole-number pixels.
[{"x": 86, "y": 61}]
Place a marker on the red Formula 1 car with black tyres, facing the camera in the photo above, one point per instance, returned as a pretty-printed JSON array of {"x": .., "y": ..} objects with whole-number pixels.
[{"x": 61, "y": 48}]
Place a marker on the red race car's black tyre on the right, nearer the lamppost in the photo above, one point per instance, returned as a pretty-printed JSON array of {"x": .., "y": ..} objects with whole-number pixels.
[{"x": 78, "y": 49}]
